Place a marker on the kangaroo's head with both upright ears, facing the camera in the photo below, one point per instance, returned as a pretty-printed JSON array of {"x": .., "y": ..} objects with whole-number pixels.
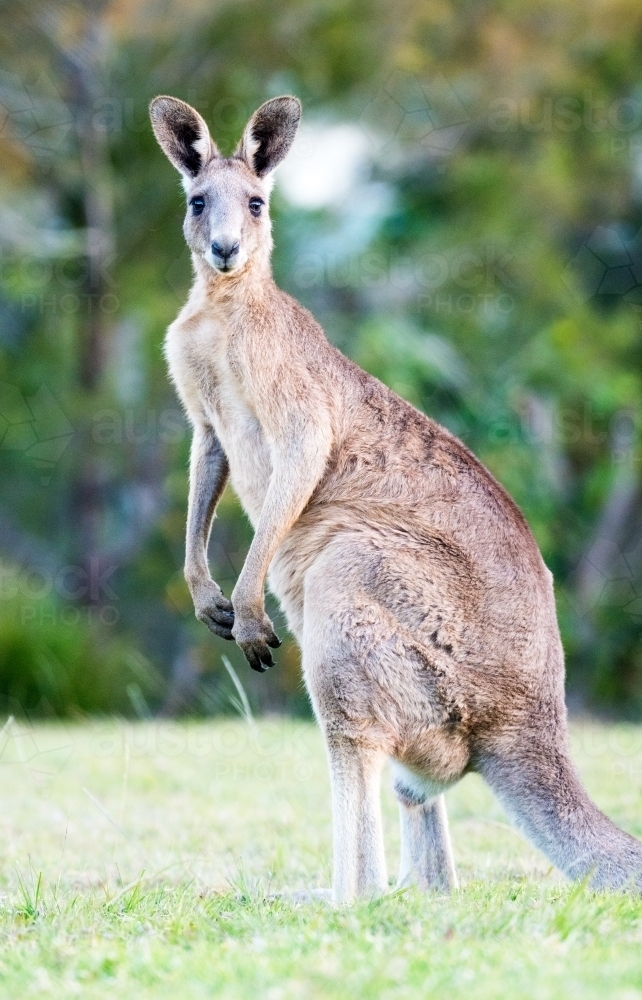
[{"x": 227, "y": 222}]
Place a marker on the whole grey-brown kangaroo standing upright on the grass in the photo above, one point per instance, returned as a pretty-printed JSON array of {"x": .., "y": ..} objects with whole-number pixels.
[{"x": 410, "y": 579}]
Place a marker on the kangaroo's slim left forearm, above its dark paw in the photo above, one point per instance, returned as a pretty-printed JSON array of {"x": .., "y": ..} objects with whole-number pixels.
[{"x": 209, "y": 471}]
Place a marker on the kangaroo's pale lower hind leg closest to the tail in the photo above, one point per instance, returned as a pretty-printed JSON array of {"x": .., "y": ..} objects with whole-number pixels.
[{"x": 426, "y": 853}]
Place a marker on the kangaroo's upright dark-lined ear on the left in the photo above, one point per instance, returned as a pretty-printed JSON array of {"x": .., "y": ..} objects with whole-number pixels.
[{"x": 182, "y": 135}]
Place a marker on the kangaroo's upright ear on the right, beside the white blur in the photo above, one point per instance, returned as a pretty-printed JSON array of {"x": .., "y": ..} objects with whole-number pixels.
[{"x": 269, "y": 134}]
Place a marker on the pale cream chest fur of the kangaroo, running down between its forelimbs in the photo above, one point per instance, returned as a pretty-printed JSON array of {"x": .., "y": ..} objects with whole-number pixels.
[{"x": 210, "y": 388}]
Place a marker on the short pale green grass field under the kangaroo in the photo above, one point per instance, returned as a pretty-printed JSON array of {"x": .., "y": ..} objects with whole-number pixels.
[{"x": 147, "y": 860}]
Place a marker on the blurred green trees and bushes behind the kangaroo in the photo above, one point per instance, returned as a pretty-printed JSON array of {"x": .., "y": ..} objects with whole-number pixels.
[{"x": 463, "y": 213}]
